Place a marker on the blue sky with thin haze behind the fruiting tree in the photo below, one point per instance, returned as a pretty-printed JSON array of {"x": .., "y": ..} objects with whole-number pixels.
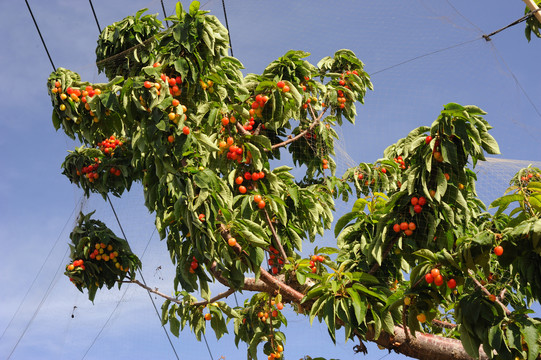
[{"x": 37, "y": 202}]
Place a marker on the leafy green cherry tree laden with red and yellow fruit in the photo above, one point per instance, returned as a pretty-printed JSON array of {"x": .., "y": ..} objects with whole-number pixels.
[{"x": 419, "y": 265}]
